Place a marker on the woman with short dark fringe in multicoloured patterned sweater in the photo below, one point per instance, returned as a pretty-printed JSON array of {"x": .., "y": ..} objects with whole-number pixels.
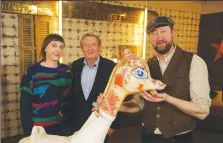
[{"x": 45, "y": 89}]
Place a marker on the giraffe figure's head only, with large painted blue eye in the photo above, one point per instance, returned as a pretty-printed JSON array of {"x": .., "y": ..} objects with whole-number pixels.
[{"x": 133, "y": 76}]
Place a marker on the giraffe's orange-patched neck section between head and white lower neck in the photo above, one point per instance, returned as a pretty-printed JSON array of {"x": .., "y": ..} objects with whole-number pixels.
[{"x": 113, "y": 99}]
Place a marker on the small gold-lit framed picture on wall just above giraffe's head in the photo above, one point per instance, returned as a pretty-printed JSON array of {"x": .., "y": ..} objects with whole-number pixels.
[{"x": 126, "y": 49}]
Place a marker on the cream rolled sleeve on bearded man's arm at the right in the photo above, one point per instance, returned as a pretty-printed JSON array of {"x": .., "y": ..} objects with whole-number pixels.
[{"x": 199, "y": 84}]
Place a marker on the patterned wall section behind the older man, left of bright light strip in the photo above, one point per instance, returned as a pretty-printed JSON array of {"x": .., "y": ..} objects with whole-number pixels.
[{"x": 111, "y": 34}]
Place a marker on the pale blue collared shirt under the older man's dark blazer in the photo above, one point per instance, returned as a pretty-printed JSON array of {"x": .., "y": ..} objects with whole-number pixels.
[{"x": 88, "y": 76}]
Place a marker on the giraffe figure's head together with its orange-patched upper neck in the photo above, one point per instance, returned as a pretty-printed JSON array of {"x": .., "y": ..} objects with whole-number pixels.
[{"x": 130, "y": 76}]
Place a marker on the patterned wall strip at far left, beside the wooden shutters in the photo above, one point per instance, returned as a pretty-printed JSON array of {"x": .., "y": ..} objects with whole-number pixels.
[{"x": 10, "y": 76}]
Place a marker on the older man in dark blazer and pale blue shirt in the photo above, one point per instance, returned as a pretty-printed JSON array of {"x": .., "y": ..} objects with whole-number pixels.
[{"x": 90, "y": 76}]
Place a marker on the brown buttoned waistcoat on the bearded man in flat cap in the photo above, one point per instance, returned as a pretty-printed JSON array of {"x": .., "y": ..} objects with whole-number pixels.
[{"x": 169, "y": 119}]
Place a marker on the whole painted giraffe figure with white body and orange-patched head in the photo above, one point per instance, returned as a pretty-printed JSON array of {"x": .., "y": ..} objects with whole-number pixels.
[{"x": 130, "y": 76}]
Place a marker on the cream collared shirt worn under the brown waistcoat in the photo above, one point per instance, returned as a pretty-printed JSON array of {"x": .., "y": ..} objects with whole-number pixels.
[{"x": 199, "y": 84}]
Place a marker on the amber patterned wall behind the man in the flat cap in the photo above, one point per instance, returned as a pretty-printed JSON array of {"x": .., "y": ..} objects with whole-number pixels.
[{"x": 186, "y": 15}]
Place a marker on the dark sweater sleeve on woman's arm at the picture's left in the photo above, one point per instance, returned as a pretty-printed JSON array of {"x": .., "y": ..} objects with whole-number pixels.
[{"x": 26, "y": 105}]
